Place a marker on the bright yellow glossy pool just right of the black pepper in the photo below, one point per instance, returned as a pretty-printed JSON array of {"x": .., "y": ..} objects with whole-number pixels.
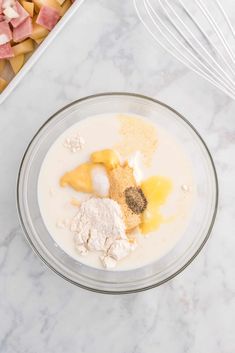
[{"x": 156, "y": 190}]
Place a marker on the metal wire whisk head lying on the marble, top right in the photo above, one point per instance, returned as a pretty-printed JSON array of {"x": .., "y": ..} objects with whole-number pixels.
[{"x": 198, "y": 33}]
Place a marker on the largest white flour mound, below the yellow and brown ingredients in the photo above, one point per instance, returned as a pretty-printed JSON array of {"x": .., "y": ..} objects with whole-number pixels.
[{"x": 99, "y": 226}]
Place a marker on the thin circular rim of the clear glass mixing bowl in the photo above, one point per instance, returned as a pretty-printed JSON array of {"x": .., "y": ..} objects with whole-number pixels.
[{"x": 120, "y": 94}]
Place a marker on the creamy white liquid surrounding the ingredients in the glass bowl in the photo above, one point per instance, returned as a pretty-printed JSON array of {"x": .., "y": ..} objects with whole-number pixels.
[{"x": 102, "y": 132}]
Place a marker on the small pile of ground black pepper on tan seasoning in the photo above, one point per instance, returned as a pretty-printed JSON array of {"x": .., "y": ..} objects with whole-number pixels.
[{"x": 135, "y": 199}]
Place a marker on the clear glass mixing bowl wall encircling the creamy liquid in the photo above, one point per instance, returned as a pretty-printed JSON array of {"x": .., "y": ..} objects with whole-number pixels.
[{"x": 154, "y": 274}]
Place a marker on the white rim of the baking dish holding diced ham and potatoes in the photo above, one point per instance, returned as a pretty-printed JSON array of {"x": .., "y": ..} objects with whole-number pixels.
[{"x": 38, "y": 52}]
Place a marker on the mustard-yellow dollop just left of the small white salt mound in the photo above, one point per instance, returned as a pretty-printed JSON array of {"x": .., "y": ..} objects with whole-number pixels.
[{"x": 79, "y": 179}]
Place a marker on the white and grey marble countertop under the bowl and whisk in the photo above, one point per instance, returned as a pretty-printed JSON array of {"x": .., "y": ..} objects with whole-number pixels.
[{"x": 105, "y": 48}]
